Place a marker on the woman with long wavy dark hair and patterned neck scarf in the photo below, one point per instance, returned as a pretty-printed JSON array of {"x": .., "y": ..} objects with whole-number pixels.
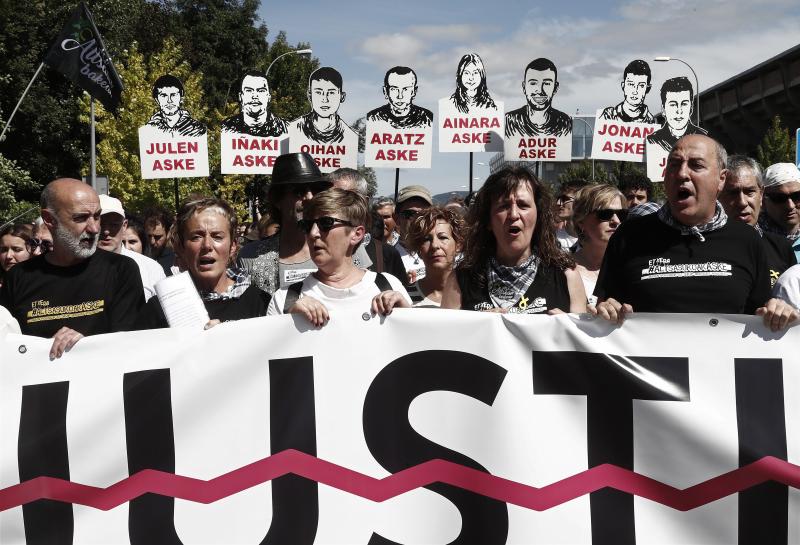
[{"x": 512, "y": 262}]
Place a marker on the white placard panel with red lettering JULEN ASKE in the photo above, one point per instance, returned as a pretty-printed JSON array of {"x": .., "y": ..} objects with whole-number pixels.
[{"x": 164, "y": 156}]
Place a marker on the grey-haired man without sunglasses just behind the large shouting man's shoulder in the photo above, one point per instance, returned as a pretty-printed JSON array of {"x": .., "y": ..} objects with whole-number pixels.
[{"x": 741, "y": 198}]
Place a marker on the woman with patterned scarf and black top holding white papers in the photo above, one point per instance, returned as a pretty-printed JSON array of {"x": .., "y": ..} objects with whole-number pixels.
[{"x": 205, "y": 246}]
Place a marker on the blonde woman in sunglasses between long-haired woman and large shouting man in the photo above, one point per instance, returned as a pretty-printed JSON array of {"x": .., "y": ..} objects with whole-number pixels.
[{"x": 597, "y": 212}]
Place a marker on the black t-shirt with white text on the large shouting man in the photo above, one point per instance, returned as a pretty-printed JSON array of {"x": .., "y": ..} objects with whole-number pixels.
[{"x": 655, "y": 268}]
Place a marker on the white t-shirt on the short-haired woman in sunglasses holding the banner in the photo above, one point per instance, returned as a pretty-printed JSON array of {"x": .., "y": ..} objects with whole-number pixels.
[{"x": 356, "y": 299}]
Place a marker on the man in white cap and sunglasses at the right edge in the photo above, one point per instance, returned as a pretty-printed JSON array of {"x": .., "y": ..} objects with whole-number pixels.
[{"x": 782, "y": 203}]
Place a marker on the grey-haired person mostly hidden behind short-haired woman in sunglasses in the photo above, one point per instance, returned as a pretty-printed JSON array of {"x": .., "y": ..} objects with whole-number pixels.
[{"x": 373, "y": 253}]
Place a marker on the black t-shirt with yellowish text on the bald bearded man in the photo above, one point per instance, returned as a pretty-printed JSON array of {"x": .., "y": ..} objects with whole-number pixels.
[{"x": 102, "y": 294}]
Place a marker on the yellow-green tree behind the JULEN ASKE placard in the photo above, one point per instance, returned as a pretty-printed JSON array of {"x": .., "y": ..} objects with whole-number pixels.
[{"x": 118, "y": 147}]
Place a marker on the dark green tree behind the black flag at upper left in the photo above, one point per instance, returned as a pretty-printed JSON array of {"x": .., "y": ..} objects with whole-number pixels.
[{"x": 45, "y": 138}]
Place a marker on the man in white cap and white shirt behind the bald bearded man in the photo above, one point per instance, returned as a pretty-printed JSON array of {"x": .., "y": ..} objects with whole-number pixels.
[{"x": 112, "y": 229}]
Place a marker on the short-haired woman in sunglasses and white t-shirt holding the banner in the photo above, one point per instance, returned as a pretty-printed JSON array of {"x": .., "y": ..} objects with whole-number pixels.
[{"x": 334, "y": 223}]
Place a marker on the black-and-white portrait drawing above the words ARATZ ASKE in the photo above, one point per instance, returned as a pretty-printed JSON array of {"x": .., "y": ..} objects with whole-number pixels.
[{"x": 400, "y": 112}]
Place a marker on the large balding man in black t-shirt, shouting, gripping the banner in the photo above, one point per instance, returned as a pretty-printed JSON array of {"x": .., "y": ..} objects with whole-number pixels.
[{"x": 688, "y": 257}]
